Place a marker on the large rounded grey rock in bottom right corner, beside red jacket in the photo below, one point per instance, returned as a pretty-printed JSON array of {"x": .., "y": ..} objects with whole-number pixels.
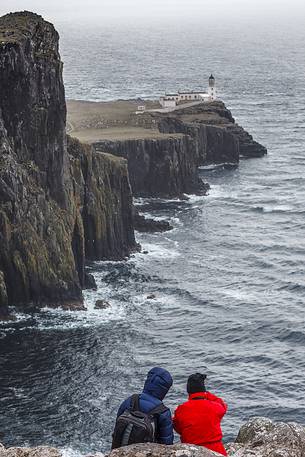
[{"x": 260, "y": 437}]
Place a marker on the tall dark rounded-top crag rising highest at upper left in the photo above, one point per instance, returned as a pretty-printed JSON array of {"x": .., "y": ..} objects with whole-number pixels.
[{"x": 32, "y": 97}]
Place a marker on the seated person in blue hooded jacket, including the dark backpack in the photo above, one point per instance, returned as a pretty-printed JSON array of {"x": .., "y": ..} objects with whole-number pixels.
[{"x": 144, "y": 418}]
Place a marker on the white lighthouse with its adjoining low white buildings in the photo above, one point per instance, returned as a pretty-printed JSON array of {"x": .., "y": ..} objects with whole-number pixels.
[{"x": 187, "y": 96}]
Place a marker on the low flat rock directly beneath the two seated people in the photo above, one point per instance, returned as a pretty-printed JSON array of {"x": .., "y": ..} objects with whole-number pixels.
[{"x": 159, "y": 450}]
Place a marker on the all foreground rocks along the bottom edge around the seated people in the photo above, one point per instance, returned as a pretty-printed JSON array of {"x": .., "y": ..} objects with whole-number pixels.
[{"x": 259, "y": 437}]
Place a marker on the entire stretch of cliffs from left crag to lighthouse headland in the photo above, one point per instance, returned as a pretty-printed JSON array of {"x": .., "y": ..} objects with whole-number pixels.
[{"x": 64, "y": 202}]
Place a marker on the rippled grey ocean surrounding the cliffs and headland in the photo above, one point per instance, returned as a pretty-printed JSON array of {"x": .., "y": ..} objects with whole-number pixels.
[{"x": 229, "y": 280}]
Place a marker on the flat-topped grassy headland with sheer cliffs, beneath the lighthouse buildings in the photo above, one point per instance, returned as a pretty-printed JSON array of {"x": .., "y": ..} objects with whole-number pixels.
[{"x": 163, "y": 149}]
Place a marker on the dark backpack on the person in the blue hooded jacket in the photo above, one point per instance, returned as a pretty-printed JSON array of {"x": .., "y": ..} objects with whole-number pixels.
[{"x": 134, "y": 426}]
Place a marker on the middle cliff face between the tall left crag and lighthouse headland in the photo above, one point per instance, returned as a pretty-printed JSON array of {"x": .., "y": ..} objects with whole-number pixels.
[{"x": 103, "y": 192}]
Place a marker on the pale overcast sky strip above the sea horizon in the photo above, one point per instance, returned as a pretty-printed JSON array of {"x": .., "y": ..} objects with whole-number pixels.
[{"x": 161, "y": 9}]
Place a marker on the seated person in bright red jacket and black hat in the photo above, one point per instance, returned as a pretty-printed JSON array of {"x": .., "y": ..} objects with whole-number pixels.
[{"x": 197, "y": 421}]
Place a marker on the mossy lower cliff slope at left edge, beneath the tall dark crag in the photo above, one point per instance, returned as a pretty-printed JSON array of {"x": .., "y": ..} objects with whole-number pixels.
[{"x": 36, "y": 259}]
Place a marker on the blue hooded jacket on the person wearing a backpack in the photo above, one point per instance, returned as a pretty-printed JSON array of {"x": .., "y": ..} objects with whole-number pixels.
[{"x": 157, "y": 384}]
